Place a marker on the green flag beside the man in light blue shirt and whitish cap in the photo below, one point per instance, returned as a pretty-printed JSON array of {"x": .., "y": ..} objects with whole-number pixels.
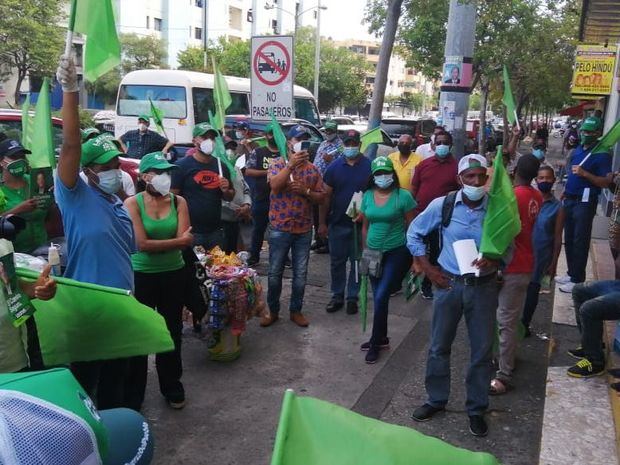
[{"x": 501, "y": 221}]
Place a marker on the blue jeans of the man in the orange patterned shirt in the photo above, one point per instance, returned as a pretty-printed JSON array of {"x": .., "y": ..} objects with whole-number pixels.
[{"x": 279, "y": 244}]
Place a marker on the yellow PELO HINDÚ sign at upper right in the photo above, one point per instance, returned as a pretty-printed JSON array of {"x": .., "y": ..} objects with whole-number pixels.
[{"x": 594, "y": 70}]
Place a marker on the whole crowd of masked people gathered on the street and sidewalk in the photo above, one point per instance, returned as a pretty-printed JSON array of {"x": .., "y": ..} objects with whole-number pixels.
[{"x": 394, "y": 214}]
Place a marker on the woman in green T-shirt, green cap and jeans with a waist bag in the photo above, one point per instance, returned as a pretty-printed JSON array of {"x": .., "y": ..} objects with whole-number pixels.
[{"x": 387, "y": 211}]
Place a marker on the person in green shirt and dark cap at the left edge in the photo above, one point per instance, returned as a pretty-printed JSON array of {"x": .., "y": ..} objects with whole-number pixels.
[{"x": 16, "y": 189}]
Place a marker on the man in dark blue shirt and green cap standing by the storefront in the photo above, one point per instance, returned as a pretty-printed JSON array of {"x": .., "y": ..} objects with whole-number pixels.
[{"x": 587, "y": 175}]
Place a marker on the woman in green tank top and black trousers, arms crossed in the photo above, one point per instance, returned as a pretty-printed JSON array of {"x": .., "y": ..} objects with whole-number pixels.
[{"x": 161, "y": 224}]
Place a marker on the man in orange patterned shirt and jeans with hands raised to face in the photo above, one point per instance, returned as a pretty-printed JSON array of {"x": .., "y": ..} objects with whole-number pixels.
[{"x": 296, "y": 185}]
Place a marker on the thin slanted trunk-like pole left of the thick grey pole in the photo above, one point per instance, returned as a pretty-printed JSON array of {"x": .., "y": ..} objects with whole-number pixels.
[{"x": 383, "y": 66}]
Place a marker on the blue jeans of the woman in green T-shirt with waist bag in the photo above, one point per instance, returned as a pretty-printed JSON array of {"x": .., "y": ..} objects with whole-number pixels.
[{"x": 396, "y": 263}]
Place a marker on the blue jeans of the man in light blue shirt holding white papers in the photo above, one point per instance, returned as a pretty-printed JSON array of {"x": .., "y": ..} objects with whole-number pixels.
[{"x": 478, "y": 304}]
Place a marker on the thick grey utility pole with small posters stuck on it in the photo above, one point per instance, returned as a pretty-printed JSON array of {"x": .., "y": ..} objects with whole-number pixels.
[{"x": 459, "y": 52}]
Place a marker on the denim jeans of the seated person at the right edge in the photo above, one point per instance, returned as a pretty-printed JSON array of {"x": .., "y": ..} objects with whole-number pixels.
[{"x": 595, "y": 302}]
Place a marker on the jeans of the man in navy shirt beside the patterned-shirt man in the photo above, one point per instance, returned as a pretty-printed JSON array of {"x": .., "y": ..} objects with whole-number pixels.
[{"x": 341, "y": 250}]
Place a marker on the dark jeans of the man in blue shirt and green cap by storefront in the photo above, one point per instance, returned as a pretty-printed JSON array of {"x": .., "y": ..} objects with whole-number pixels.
[{"x": 577, "y": 234}]
